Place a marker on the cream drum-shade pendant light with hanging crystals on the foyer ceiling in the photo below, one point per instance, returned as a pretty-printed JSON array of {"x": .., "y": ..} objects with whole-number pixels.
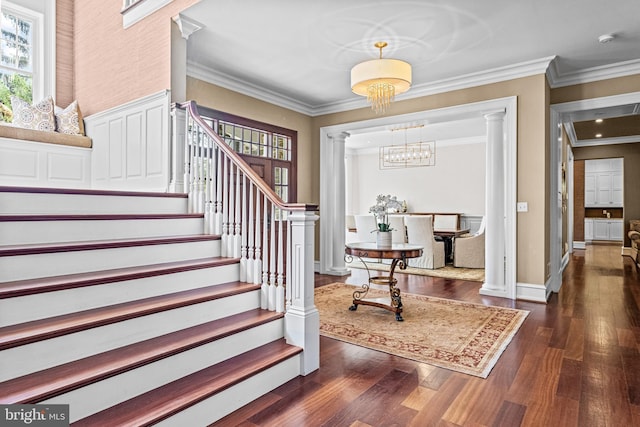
[{"x": 380, "y": 80}]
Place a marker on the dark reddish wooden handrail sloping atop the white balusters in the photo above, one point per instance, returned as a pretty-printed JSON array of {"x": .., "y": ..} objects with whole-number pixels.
[{"x": 192, "y": 109}]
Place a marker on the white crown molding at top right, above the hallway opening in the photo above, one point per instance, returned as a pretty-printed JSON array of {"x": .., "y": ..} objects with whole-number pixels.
[{"x": 603, "y": 72}]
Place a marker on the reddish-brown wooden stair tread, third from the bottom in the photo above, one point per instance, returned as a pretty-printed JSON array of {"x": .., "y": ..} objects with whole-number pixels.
[{"x": 24, "y": 333}]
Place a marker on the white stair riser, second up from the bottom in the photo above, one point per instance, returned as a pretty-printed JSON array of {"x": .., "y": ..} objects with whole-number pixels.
[{"x": 101, "y": 395}]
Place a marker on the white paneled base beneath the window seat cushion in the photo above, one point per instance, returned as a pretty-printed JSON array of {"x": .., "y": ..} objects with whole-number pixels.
[{"x": 39, "y": 164}]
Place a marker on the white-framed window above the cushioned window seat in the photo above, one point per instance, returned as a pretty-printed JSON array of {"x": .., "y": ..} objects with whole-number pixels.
[{"x": 27, "y": 64}]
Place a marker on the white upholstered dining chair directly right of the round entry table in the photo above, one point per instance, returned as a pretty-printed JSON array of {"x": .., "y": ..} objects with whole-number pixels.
[{"x": 420, "y": 232}]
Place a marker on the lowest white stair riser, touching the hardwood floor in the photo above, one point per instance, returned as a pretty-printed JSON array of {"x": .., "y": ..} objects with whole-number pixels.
[{"x": 233, "y": 398}]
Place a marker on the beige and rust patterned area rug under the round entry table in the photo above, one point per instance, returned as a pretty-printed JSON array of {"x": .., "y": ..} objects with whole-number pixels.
[{"x": 459, "y": 336}]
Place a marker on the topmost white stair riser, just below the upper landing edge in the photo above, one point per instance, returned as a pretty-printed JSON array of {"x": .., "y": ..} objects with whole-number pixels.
[{"x": 52, "y": 203}]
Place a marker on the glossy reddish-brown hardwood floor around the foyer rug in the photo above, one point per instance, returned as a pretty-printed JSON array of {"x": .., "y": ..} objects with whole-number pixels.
[{"x": 574, "y": 362}]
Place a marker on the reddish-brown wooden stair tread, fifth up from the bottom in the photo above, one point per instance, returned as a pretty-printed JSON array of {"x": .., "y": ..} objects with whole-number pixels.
[{"x": 37, "y": 248}]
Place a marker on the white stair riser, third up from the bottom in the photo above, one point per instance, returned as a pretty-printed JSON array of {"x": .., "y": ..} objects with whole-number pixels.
[{"x": 28, "y": 358}]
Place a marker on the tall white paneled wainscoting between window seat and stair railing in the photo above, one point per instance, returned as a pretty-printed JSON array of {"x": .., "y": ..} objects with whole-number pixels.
[{"x": 131, "y": 145}]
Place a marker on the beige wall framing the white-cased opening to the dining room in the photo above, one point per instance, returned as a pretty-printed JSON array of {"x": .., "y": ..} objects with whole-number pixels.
[{"x": 532, "y": 150}]
